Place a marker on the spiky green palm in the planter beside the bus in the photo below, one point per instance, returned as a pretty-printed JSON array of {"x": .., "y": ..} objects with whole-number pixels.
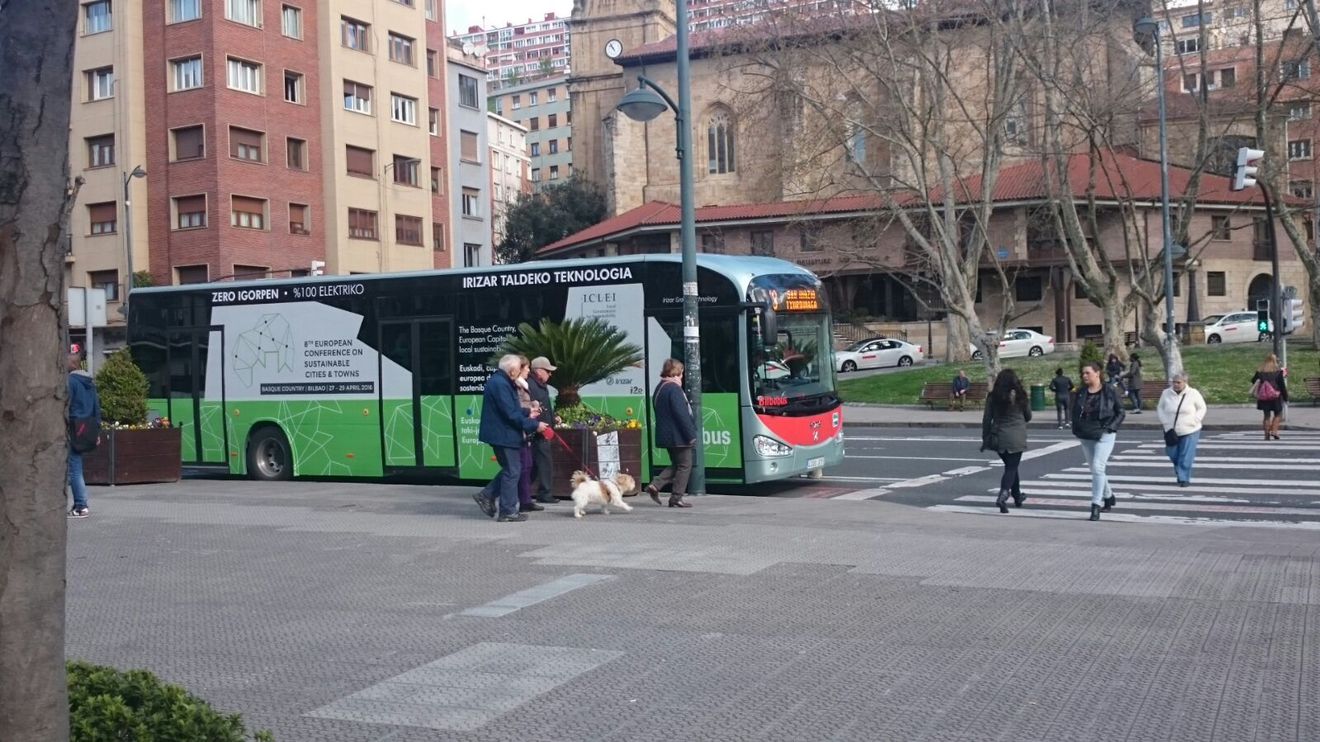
[{"x": 584, "y": 352}]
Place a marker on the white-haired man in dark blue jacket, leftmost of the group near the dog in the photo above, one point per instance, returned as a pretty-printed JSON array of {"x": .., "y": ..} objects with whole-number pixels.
[{"x": 505, "y": 427}]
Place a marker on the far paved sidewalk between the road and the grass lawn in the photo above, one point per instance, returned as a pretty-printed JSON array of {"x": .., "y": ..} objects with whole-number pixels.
[{"x": 1220, "y": 418}]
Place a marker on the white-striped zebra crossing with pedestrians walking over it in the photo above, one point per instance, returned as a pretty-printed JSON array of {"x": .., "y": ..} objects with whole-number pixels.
[{"x": 1239, "y": 480}]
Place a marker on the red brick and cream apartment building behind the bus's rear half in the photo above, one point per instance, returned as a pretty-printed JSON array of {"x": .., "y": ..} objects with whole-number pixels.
[{"x": 273, "y": 134}]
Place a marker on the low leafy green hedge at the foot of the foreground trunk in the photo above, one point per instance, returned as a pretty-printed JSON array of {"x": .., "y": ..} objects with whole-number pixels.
[{"x": 110, "y": 706}]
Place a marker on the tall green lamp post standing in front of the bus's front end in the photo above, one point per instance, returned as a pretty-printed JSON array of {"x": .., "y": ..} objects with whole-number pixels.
[{"x": 643, "y": 105}]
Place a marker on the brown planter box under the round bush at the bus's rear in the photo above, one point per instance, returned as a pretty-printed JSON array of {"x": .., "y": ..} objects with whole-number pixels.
[{"x": 135, "y": 457}]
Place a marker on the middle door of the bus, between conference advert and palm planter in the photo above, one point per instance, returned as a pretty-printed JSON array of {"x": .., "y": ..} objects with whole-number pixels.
[{"x": 418, "y": 405}]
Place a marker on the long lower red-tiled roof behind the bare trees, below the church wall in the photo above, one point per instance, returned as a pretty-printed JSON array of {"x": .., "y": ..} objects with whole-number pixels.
[{"x": 1117, "y": 178}]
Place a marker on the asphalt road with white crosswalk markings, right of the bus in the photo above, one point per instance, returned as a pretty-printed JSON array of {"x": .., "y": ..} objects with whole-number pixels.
[{"x": 1239, "y": 479}]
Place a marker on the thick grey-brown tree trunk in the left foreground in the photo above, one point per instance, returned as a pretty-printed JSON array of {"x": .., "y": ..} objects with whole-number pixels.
[{"x": 36, "y": 51}]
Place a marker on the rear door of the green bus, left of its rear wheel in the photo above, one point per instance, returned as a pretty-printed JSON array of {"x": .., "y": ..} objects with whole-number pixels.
[{"x": 201, "y": 421}]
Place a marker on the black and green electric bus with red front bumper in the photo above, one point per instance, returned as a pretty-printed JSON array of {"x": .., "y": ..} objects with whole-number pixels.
[{"x": 382, "y": 376}]
